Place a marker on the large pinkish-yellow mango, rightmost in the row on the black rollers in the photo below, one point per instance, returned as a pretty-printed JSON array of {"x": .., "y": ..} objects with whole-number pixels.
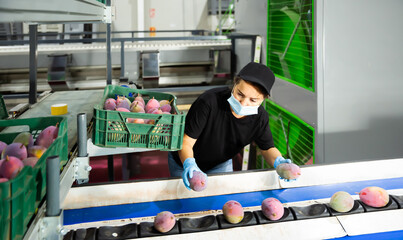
[{"x": 374, "y": 196}]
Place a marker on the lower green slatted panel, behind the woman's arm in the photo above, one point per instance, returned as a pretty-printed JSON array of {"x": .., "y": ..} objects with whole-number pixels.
[{"x": 286, "y": 127}]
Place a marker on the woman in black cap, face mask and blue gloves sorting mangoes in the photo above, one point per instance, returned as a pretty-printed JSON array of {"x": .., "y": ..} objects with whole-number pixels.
[{"x": 222, "y": 121}]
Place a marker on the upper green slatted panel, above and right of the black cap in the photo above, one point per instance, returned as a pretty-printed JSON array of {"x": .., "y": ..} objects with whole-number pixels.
[{"x": 289, "y": 41}]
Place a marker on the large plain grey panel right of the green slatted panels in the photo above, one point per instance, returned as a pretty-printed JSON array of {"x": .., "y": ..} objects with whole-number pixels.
[{"x": 359, "y": 90}]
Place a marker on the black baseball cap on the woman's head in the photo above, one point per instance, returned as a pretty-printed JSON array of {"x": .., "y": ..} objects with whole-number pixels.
[{"x": 258, "y": 73}]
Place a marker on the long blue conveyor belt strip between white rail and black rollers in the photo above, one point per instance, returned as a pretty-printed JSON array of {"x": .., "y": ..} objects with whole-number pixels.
[{"x": 248, "y": 199}]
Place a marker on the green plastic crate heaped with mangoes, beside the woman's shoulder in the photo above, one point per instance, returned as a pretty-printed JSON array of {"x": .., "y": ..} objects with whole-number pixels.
[{"x": 111, "y": 128}]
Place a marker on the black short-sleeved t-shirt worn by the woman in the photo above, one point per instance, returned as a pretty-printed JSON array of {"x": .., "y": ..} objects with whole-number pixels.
[{"x": 220, "y": 135}]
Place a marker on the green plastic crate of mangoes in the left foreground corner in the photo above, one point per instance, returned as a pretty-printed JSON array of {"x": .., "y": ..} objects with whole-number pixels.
[{"x": 21, "y": 196}]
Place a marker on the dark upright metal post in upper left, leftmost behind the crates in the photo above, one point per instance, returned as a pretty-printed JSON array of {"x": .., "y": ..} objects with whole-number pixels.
[{"x": 33, "y": 54}]
